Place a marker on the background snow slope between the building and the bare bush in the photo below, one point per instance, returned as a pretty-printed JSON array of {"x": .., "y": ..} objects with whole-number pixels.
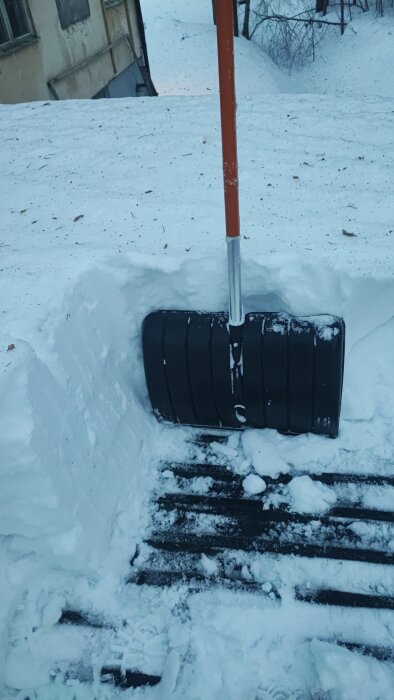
[{"x": 181, "y": 40}]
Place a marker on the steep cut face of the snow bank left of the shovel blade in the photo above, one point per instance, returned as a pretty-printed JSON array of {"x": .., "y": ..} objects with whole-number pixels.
[{"x": 79, "y": 453}]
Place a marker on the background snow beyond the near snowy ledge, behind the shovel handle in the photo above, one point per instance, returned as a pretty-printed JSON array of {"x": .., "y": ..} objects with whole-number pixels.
[{"x": 181, "y": 41}]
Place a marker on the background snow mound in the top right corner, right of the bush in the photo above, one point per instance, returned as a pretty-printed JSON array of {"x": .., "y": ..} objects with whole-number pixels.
[{"x": 355, "y": 64}]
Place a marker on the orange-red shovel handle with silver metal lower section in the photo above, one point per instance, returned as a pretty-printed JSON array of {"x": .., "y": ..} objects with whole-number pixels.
[{"x": 225, "y": 40}]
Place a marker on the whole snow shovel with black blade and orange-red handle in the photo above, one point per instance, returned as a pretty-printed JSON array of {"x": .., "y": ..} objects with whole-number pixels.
[{"x": 231, "y": 370}]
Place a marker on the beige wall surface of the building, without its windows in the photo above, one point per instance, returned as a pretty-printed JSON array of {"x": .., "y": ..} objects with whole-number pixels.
[{"x": 24, "y": 73}]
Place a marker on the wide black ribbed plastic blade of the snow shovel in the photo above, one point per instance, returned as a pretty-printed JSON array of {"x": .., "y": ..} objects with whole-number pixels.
[{"x": 291, "y": 379}]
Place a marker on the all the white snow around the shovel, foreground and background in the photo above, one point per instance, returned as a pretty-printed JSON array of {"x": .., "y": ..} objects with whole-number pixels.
[{"x": 112, "y": 208}]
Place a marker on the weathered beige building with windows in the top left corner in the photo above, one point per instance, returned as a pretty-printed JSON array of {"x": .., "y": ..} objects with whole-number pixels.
[{"x": 62, "y": 49}]
